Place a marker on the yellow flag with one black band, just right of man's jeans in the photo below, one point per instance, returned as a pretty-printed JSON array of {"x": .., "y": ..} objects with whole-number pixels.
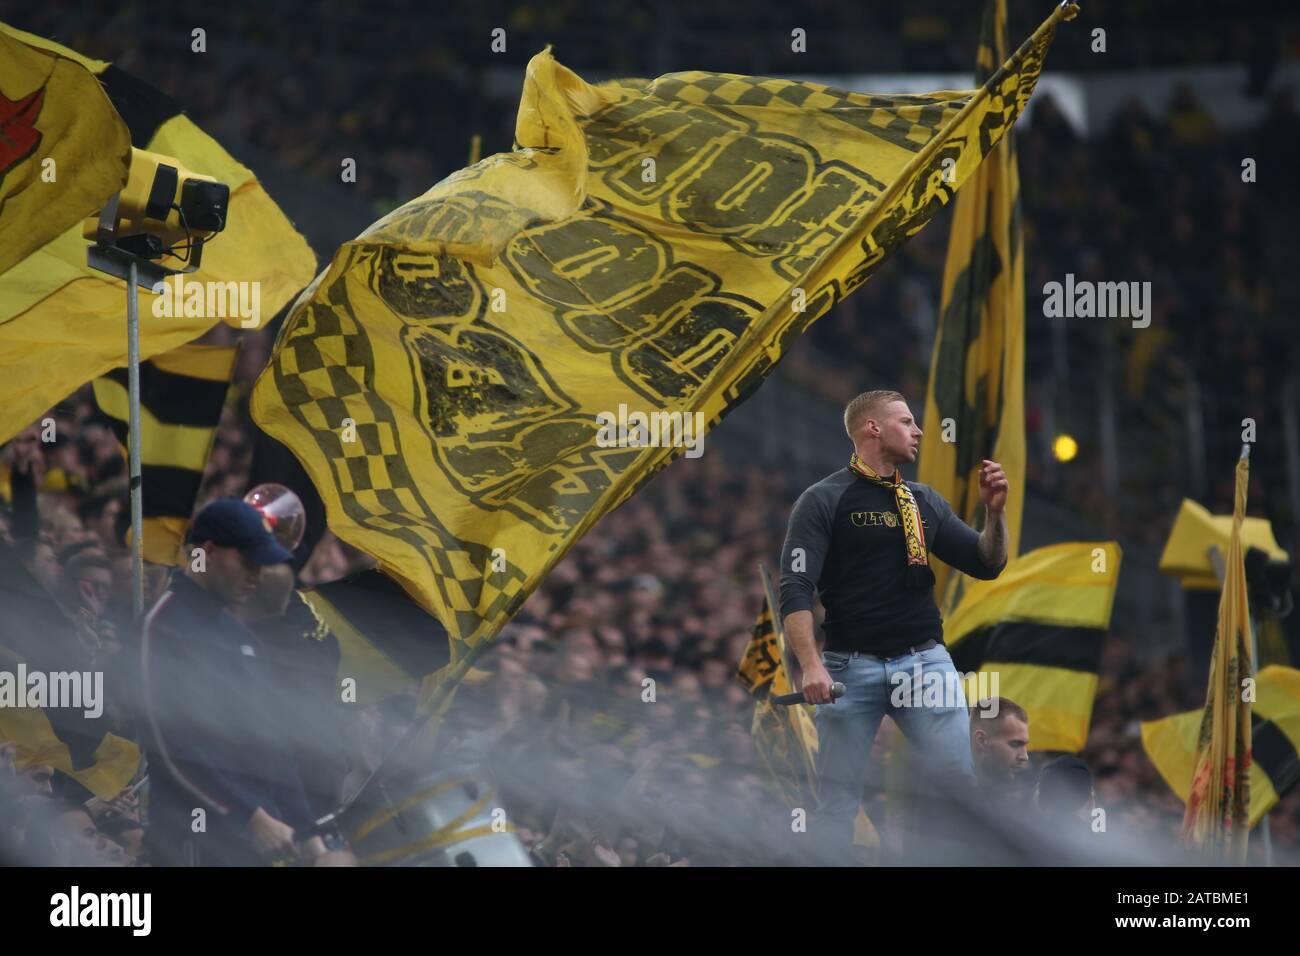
[{"x": 1035, "y": 635}]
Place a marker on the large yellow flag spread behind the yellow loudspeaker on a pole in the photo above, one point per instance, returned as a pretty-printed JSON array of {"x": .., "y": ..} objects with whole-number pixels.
[{"x": 63, "y": 325}]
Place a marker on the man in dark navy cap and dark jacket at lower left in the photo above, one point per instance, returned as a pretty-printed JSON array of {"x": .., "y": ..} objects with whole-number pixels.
[{"x": 223, "y": 788}]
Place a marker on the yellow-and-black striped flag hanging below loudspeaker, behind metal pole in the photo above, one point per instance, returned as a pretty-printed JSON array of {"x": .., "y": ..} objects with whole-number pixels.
[{"x": 183, "y": 393}]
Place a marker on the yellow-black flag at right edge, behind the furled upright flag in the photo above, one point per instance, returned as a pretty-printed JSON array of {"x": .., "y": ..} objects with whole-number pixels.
[{"x": 1172, "y": 742}]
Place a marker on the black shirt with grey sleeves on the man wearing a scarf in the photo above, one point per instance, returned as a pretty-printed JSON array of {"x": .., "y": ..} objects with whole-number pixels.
[{"x": 847, "y": 543}]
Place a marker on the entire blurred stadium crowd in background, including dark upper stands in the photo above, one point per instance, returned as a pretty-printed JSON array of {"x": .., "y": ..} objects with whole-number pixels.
[{"x": 668, "y": 587}]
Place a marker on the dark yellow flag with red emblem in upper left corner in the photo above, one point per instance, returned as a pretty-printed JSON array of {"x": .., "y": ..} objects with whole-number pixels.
[{"x": 64, "y": 150}]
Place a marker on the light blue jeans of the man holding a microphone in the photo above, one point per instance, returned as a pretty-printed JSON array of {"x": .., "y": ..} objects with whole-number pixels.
[{"x": 873, "y": 687}]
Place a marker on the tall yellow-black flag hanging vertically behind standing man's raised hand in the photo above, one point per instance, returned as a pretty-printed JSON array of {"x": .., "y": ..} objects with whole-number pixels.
[{"x": 976, "y": 400}]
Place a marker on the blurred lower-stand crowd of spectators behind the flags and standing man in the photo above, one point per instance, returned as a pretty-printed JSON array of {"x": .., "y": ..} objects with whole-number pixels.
[{"x": 665, "y": 589}]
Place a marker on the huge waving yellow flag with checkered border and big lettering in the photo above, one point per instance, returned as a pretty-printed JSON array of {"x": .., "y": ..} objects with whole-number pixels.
[{"x": 457, "y": 383}]
